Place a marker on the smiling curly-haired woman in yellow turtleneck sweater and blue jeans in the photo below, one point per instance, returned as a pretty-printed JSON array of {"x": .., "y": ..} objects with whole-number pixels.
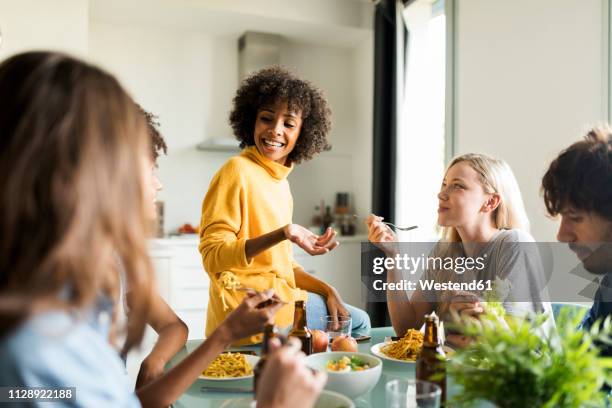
[{"x": 246, "y": 227}]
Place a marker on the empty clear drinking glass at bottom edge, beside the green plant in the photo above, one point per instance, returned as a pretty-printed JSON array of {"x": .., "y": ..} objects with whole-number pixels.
[{"x": 411, "y": 393}]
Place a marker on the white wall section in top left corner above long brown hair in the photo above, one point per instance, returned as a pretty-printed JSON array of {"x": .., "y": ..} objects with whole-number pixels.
[{"x": 60, "y": 25}]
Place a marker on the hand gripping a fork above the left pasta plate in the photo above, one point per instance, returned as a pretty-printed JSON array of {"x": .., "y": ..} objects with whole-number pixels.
[{"x": 250, "y": 317}]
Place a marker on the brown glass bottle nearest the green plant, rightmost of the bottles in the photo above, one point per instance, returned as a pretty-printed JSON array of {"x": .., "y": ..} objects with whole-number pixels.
[{"x": 431, "y": 360}]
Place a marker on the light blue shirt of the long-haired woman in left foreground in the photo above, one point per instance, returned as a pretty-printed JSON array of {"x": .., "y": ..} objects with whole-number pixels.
[{"x": 59, "y": 349}]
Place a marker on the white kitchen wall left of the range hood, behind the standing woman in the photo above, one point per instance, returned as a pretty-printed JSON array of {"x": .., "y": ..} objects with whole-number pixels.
[{"x": 184, "y": 78}]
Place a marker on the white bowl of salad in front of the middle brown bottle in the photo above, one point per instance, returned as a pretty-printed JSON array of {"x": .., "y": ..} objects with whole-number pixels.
[{"x": 351, "y": 383}]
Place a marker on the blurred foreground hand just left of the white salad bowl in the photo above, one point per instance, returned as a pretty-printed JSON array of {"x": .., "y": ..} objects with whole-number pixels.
[{"x": 286, "y": 381}]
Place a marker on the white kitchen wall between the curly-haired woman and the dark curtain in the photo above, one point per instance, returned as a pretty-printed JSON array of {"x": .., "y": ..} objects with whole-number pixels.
[{"x": 346, "y": 76}]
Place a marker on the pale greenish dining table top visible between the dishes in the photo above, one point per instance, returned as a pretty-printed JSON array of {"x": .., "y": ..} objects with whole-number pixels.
[{"x": 195, "y": 396}]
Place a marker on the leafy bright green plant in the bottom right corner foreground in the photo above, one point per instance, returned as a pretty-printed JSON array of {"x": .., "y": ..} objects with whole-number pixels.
[{"x": 511, "y": 364}]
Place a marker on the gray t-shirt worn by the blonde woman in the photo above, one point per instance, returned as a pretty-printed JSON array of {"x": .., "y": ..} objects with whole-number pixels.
[{"x": 512, "y": 257}]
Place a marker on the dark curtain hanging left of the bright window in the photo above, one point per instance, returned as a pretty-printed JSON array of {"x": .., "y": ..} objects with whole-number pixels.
[{"x": 385, "y": 102}]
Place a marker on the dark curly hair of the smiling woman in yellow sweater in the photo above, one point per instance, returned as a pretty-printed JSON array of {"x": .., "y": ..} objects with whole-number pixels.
[{"x": 276, "y": 84}]
